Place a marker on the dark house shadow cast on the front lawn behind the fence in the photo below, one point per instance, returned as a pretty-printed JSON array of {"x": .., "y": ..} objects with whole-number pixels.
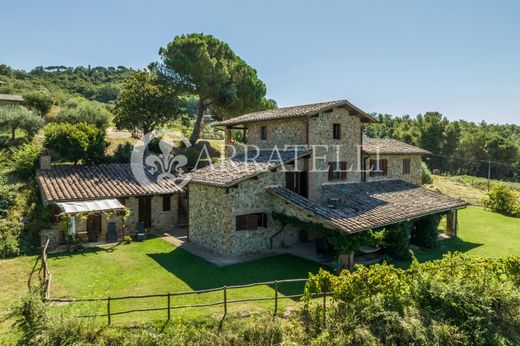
[{"x": 200, "y": 274}]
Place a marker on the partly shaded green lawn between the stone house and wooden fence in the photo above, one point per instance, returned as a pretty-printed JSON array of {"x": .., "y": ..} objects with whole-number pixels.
[{"x": 156, "y": 266}]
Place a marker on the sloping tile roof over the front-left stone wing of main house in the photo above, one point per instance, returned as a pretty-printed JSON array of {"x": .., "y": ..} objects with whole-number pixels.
[{"x": 232, "y": 171}]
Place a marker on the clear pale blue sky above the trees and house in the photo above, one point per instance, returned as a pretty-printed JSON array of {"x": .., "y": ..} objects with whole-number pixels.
[{"x": 461, "y": 58}]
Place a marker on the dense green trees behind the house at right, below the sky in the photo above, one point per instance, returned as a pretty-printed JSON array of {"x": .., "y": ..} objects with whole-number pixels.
[{"x": 458, "y": 147}]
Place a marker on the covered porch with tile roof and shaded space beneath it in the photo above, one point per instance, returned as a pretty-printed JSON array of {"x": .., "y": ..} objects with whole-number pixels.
[{"x": 353, "y": 209}]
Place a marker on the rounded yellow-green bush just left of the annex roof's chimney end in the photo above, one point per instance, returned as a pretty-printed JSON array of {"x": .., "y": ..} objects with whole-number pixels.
[{"x": 24, "y": 160}]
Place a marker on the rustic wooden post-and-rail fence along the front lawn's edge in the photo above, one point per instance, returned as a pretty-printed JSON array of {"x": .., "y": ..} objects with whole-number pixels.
[{"x": 168, "y": 307}]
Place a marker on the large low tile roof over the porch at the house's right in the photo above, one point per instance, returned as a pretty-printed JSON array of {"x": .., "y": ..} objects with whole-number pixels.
[{"x": 364, "y": 206}]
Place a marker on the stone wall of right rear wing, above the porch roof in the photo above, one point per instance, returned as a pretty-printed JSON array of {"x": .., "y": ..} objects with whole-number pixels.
[{"x": 395, "y": 168}]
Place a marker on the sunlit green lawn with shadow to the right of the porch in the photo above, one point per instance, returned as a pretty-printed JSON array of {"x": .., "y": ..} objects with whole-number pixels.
[{"x": 481, "y": 233}]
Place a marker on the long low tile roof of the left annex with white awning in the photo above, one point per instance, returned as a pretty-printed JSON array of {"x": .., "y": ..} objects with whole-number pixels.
[{"x": 67, "y": 183}]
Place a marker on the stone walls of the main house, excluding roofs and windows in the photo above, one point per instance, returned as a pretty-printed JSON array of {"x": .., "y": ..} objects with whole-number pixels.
[{"x": 213, "y": 210}]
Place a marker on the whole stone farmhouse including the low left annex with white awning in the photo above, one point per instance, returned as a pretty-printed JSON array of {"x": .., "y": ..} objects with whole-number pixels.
[{"x": 309, "y": 162}]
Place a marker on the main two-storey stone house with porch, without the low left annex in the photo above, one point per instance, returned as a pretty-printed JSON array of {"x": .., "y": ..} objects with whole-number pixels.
[{"x": 231, "y": 204}]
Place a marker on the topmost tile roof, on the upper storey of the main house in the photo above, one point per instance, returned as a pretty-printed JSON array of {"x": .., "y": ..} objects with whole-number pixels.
[{"x": 292, "y": 112}]
